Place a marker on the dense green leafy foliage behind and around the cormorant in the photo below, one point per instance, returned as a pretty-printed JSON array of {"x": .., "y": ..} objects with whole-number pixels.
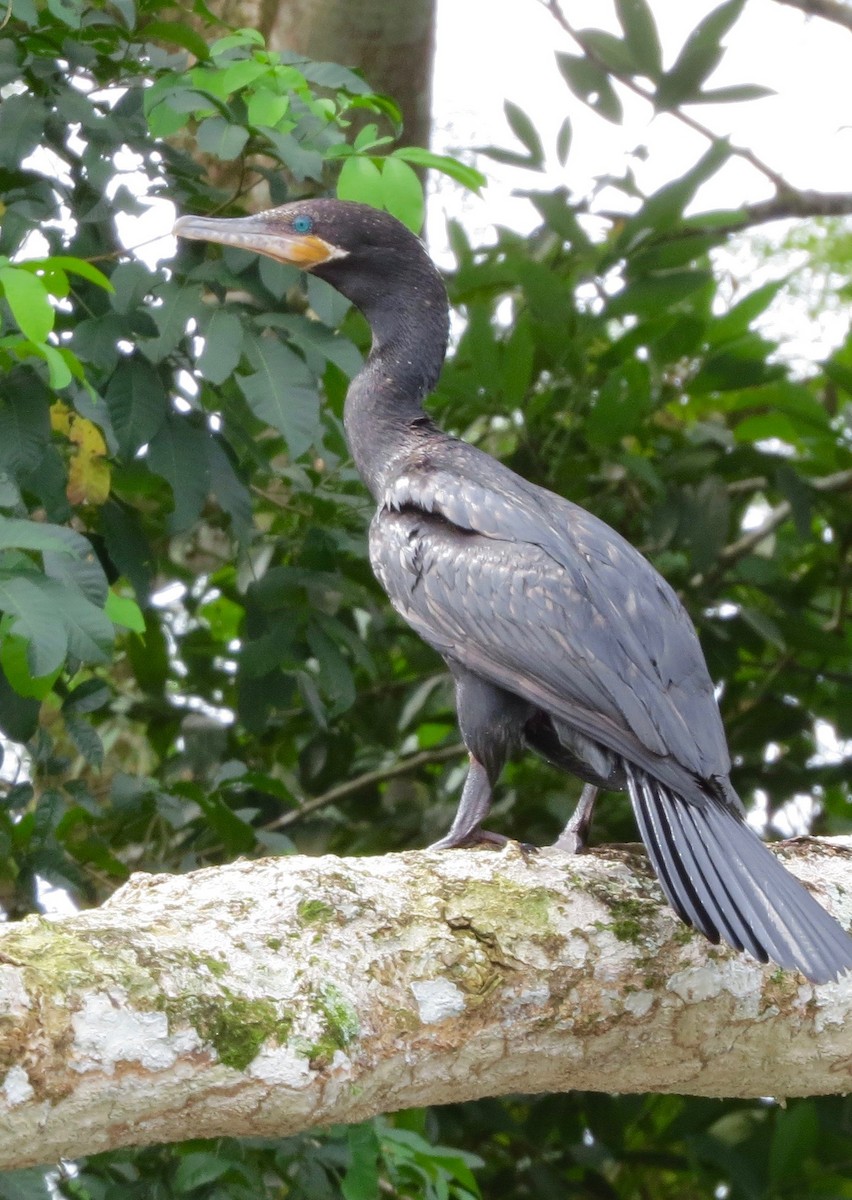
[{"x": 194, "y": 653}]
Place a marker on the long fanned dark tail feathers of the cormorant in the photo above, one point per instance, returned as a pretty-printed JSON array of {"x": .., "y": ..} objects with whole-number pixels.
[{"x": 722, "y": 879}]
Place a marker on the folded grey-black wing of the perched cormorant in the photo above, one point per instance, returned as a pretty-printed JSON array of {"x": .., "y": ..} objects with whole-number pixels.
[{"x": 541, "y": 598}]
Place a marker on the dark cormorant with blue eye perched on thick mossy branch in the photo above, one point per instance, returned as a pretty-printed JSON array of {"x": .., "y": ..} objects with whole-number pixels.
[{"x": 560, "y": 637}]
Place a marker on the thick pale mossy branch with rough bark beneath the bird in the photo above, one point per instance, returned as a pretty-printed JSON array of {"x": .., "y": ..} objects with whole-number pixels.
[{"x": 271, "y": 997}]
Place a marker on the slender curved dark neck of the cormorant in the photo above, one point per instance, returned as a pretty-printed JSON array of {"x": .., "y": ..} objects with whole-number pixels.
[{"x": 409, "y": 316}]
